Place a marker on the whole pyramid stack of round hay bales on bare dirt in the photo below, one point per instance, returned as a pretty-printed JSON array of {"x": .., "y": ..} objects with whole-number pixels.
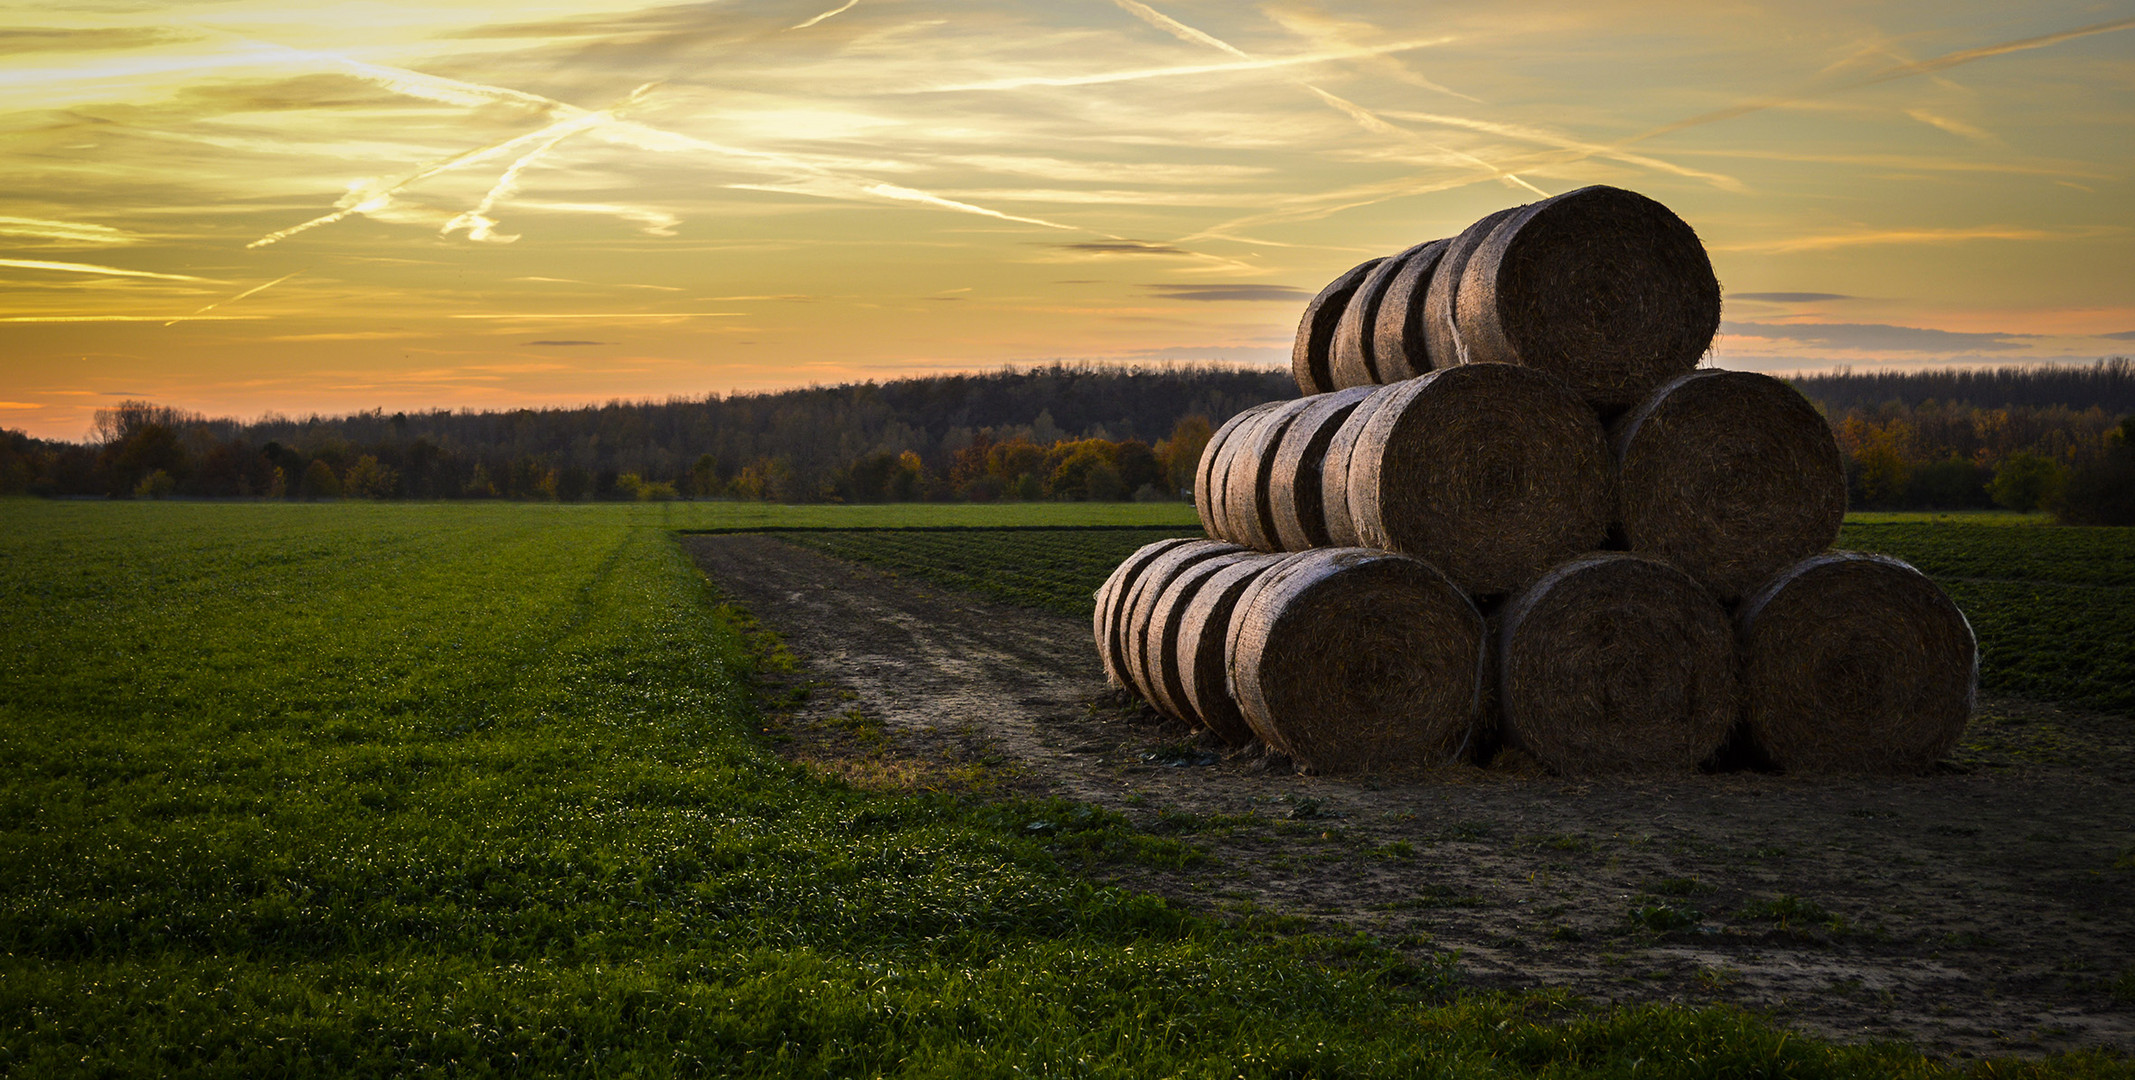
[{"x": 1511, "y": 511}]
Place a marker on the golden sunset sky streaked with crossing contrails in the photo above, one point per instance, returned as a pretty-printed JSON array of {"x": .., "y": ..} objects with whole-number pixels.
[{"x": 251, "y": 206}]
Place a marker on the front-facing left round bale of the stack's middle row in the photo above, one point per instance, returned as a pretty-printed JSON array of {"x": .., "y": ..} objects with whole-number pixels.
[{"x": 1491, "y": 473}]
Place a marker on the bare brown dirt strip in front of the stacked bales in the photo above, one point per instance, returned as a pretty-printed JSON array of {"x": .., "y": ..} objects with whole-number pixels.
[{"x": 1984, "y": 910}]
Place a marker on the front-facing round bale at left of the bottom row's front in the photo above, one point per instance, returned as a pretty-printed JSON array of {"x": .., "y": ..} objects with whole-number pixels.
[{"x": 1353, "y": 658}]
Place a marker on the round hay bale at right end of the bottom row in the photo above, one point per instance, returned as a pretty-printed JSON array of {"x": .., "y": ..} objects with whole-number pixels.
[{"x": 1856, "y": 665}]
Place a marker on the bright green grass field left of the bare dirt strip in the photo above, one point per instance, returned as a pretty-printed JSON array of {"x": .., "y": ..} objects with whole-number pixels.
[{"x": 479, "y": 791}]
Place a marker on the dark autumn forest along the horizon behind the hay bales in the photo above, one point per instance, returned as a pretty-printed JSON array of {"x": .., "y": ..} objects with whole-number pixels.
[{"x": 1950, "y": 439}]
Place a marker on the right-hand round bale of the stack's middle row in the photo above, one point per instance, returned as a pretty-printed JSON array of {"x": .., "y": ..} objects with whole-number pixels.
[{"x": 1733, "y": 477}]
